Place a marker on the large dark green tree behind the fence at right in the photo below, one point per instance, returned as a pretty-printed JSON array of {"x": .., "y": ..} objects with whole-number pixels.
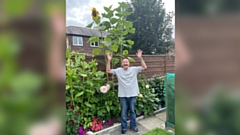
[{"x": 153, "y": 26}]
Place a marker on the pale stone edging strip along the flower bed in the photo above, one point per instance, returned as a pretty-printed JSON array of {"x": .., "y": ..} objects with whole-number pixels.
[{"x": 112, "y": 128}]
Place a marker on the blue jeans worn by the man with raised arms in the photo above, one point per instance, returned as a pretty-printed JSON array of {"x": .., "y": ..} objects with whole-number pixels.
[{"x": 128, "y": 103}]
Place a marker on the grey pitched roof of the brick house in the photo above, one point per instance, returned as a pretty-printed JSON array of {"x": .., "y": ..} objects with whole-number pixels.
[{"x": 83, "y": 31}]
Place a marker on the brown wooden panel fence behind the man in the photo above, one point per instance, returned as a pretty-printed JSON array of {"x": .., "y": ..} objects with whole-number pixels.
[{"x": 157, "y": 64}]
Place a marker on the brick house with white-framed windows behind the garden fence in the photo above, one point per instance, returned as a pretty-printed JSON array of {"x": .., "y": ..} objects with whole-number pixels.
[{"x": 77, "y": 38}]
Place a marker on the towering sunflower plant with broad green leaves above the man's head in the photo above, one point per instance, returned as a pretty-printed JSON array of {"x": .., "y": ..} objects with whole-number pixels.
[{"x": 114, "y": 23}]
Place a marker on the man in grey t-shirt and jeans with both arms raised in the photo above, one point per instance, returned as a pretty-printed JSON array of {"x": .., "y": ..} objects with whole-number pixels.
[{"x": 128, "y": 89}]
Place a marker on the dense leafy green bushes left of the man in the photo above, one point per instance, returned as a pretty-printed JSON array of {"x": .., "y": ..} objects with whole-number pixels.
[{"x": 83, "y": 98}]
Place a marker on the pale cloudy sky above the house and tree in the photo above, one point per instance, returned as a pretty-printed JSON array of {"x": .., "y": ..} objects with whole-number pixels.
[{"x": 78, "y": 12}]
